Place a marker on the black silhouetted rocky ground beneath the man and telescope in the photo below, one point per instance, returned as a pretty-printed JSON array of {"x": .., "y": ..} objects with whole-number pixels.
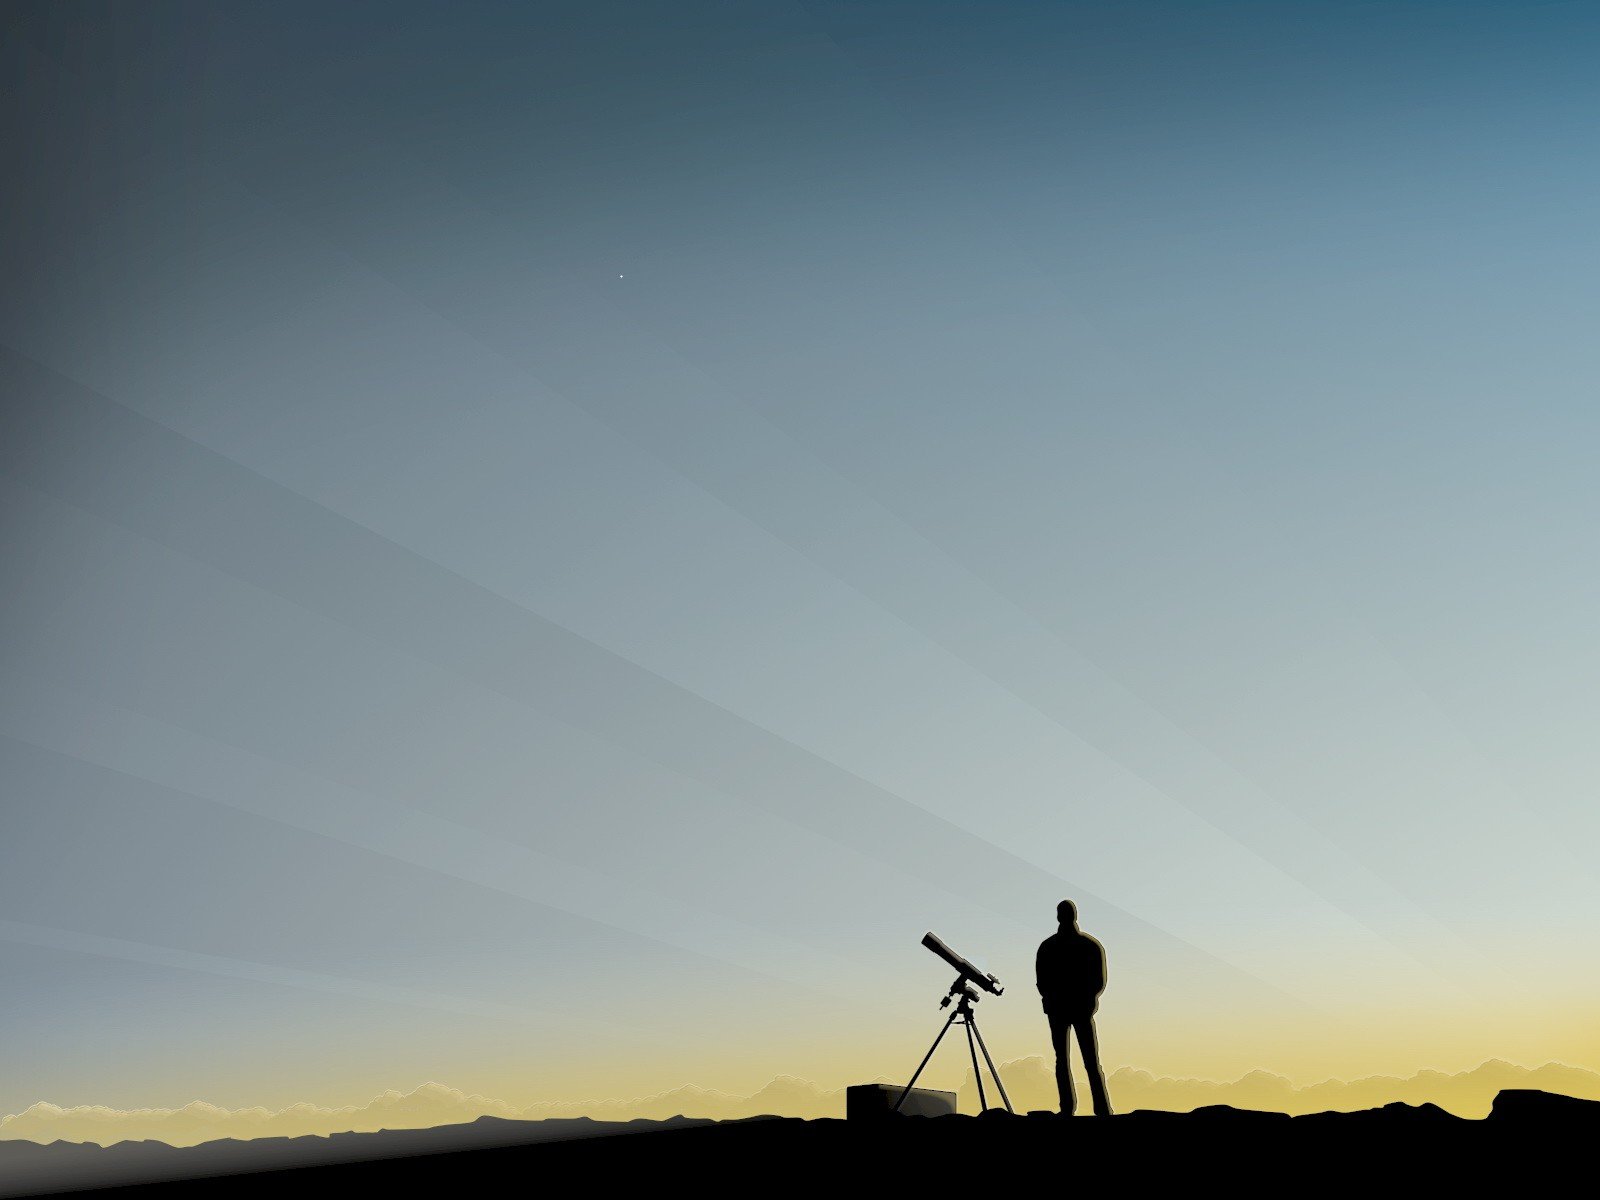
[{"x": 1532, "y": 1140}]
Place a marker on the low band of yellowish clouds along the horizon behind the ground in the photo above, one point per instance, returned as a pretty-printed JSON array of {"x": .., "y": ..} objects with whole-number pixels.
[{"x": 1031, "y": 1084}]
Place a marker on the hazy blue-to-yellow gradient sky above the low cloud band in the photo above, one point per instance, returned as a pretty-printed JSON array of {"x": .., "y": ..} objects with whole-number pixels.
[{"x": 548, "y": 545}]
